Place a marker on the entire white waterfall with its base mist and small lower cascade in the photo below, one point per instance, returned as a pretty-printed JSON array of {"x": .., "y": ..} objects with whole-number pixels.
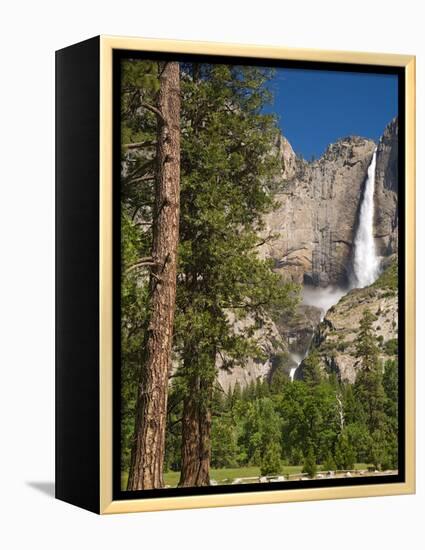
[{"x": 365, "y": 265}]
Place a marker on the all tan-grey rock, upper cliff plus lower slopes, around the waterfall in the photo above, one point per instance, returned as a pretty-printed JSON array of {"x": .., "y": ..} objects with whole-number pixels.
[{"x": 314, "y": 228}]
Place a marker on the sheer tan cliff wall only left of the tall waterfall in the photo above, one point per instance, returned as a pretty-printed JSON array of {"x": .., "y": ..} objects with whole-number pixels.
[{"x": 317, "y": 213}]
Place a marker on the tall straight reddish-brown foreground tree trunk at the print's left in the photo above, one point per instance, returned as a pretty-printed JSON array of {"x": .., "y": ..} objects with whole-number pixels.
[{"x": 147, "y": 457}]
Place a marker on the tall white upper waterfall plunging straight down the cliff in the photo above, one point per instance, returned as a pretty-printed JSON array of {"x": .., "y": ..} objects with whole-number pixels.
[{"x": 365, "y": 262}]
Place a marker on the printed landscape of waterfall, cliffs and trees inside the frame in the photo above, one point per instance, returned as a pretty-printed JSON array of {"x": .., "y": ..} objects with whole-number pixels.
[{"x": 259, "y": 261}]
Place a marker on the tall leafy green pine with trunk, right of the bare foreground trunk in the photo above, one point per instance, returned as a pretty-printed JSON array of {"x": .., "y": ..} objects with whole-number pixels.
[{"x": 228, "y": 166}]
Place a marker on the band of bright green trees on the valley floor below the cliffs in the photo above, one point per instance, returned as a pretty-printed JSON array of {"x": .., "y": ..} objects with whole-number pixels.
[{"x": 289, "y": 425}]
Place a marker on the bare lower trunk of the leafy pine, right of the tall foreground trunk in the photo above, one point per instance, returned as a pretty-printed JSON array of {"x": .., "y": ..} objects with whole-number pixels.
[{"x": 196, "y": 435}]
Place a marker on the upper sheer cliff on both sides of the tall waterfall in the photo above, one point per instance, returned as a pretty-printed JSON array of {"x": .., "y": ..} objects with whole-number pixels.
[{"x": 318, "y": 208}]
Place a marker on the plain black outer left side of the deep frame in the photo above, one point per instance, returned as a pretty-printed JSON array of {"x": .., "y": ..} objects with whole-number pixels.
[{"x": 77, "y": 462}]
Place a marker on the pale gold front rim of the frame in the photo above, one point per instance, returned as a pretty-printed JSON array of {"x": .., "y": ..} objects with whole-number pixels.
[{"x": 107, "y": 504}]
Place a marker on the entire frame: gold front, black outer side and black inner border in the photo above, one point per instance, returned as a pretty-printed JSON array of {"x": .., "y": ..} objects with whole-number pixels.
[{"x": 88, "y": 168}]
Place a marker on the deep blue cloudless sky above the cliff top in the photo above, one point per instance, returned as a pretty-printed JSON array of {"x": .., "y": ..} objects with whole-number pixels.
[{"x": 315, "y": 108}]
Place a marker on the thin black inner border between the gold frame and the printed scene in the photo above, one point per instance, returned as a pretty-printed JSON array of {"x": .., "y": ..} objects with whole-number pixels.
[{"x": 118, "y": 493}]
